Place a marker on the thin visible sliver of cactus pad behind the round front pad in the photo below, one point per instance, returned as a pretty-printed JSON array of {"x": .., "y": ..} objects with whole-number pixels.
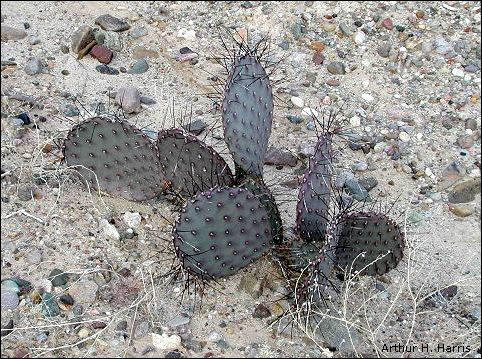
[{"x": 260, "y": 190}]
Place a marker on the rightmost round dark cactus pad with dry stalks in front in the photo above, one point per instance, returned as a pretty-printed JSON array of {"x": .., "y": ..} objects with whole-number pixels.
[{"x": 364, "y": 237}]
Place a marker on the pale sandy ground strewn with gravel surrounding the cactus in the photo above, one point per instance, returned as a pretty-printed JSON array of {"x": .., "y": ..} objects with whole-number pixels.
[{"x": 406, "y": 76}]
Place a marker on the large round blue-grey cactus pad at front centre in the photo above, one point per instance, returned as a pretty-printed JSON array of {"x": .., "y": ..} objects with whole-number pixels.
[{"x": 220, "y": 231}]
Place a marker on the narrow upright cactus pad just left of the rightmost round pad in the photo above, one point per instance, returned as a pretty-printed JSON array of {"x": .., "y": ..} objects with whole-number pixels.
[{"x": 314, "y": 194}]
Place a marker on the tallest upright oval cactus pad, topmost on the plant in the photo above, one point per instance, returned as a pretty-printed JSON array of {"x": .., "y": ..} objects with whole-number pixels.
[{"x": 247, "y": 113}]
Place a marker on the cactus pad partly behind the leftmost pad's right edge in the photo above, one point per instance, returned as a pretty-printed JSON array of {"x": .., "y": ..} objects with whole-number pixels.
[{"x": 189, "y": 164}]
